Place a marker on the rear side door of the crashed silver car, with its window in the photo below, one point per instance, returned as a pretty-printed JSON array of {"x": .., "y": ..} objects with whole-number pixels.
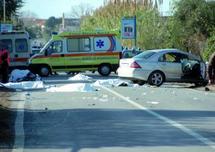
[{"x": 170, "y": 63}]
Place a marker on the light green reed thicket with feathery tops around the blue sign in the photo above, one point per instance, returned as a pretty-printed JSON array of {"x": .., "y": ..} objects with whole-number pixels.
[{"x": 109, "y": 17}]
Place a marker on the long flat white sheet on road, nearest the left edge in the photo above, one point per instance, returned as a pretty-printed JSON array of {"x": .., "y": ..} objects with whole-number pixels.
[{"x": 25, "y": 85}]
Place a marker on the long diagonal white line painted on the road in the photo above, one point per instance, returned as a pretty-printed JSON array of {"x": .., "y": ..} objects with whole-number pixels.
[{"x": 186, "y": 130}]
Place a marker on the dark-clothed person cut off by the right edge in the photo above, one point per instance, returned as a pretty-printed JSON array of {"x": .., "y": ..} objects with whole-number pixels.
[{"x": 211, "y": 69}]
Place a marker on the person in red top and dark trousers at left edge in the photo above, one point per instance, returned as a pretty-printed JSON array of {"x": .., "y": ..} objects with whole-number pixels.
[{"x": 4, "y": 62}]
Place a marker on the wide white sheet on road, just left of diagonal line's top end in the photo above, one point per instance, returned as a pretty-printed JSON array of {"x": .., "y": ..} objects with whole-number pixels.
[{"x": 76, "y": 87}]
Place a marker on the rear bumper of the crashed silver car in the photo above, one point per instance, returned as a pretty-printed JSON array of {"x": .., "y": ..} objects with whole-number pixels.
[{"x": 133, "y": 74}]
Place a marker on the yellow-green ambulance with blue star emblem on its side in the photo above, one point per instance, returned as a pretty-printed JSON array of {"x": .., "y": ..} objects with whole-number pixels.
[{"x": 77, "y": 52}]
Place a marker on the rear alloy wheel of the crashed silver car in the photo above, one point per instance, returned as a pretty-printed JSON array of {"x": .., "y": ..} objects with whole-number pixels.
[{"x": 156, "y": 78}]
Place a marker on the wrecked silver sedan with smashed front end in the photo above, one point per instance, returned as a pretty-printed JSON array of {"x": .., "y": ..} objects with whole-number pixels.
[{"x": 163, "y": 65}]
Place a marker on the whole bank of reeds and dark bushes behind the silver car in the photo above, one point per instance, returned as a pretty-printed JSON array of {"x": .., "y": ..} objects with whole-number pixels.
[{"x": 190, "y": 27}]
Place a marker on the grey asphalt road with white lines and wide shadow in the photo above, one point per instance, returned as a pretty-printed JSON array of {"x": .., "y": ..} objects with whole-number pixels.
[{"x": 172, "y": 118}]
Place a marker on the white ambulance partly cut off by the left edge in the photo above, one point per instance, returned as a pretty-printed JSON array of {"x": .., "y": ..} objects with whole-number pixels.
[{"x": 18, "y": 45}]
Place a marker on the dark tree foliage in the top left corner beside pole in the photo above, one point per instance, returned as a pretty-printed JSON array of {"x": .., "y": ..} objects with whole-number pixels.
[{"x": 12, "y": 7}]
